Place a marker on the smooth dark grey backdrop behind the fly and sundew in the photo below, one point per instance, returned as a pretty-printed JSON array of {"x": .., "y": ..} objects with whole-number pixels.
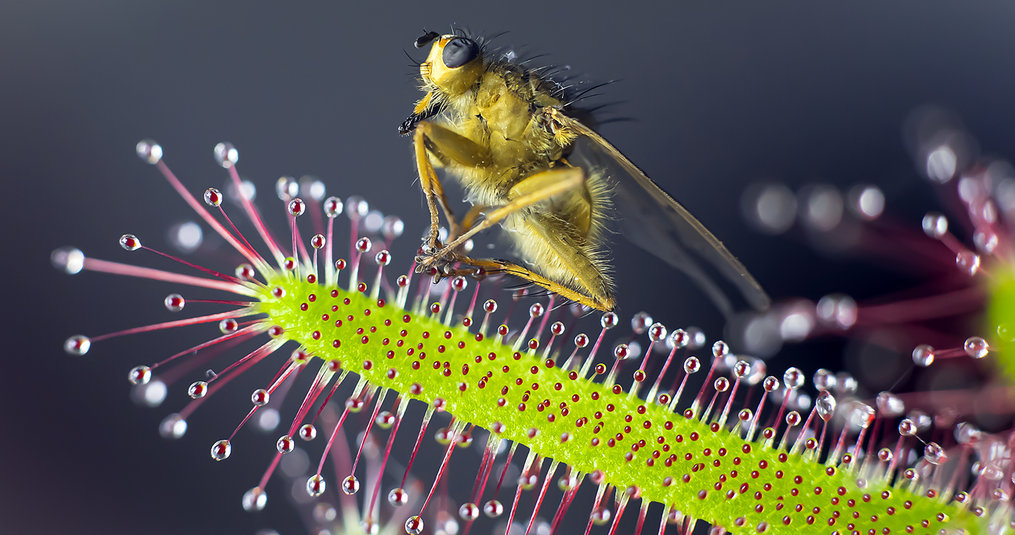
[{"x": 722, "y": 96}]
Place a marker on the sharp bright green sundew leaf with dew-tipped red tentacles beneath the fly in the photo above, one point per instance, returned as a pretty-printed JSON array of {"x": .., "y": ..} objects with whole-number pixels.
[{"x": 662, "y": 431}]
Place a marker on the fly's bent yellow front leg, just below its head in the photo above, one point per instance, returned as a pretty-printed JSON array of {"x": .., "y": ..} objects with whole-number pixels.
[{"x": 450, "y": 148}]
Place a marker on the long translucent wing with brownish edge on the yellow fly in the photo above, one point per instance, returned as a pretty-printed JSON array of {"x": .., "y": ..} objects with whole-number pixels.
[{"x": 655, "y": 222}]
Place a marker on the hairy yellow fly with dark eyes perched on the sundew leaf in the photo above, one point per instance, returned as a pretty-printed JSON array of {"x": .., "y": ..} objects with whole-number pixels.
[{"x": 547, "y": 179}]
